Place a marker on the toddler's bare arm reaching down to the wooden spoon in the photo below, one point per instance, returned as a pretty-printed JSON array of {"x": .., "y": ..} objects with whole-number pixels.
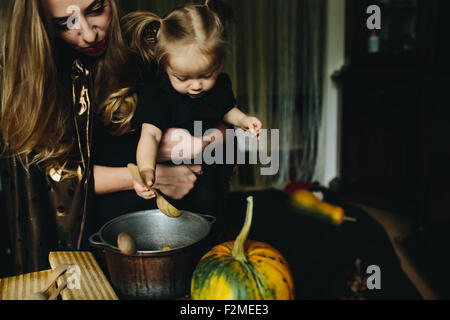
[{"x": 147, "y": 151}]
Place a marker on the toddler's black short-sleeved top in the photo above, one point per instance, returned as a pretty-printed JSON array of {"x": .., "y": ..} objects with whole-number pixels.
[{"x": 160, "y": 105}]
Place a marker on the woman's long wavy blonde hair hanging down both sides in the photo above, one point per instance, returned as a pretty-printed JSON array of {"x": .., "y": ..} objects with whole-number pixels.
[{"x": 36, "y": 113}]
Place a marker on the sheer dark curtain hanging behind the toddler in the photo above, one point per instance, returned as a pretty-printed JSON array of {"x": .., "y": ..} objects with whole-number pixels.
[{"x": 276, "y": 58}]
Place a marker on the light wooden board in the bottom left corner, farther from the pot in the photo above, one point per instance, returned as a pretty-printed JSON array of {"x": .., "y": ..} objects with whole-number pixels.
[{"x": 17, "y": 288}]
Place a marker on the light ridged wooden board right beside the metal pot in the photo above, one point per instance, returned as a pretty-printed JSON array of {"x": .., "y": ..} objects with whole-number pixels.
[{"x": 88, "y": 282}]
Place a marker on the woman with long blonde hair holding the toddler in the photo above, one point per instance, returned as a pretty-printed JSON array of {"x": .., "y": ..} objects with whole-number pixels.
[{"x": 61, "y": 70}]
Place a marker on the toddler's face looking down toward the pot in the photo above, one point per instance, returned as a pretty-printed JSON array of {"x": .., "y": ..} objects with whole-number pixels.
[{"x": 191, "y": 74}]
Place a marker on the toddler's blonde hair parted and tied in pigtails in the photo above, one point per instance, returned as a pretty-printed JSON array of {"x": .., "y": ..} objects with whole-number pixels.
[{"x": 190, "y": 24}]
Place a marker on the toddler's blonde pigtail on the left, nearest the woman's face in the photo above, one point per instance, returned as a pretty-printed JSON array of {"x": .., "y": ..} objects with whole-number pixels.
[{"x": 141, "y": 30}]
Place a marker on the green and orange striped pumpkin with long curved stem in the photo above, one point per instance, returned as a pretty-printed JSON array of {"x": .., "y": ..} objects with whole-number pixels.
[{"x": 242, "y": 270}]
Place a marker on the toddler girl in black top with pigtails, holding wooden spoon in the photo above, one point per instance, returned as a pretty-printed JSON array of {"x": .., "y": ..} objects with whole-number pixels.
[{"x": 189, "y": 47}]
